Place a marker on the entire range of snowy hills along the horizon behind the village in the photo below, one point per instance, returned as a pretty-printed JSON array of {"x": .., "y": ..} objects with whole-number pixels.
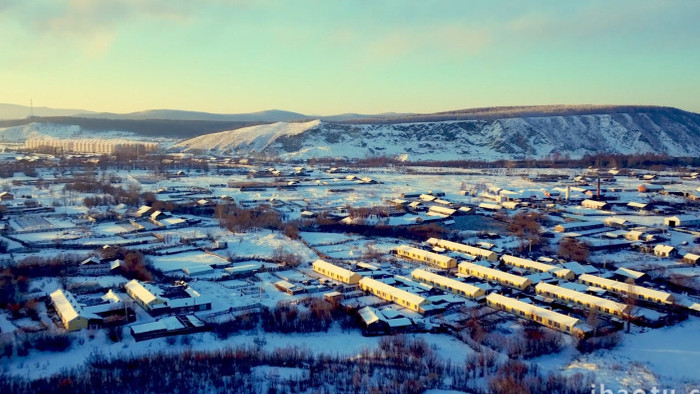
[{"x": 476, "y": 134}]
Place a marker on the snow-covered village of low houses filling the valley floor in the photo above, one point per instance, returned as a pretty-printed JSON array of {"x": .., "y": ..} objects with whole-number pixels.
[{"x": 180, "y": 248}]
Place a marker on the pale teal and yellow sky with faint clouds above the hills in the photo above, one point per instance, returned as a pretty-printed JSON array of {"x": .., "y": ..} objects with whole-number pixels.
[{"x": 336, "y": 56}]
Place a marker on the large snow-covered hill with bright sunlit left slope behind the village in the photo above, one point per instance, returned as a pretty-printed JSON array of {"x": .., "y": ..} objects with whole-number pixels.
[{"x": 630, "y": 131}]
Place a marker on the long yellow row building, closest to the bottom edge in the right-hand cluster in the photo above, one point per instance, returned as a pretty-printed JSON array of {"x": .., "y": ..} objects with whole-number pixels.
[{"x": 546, "y": 317}]
